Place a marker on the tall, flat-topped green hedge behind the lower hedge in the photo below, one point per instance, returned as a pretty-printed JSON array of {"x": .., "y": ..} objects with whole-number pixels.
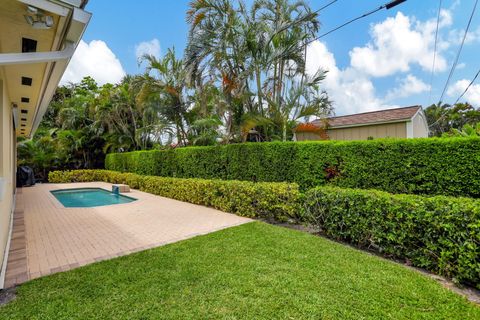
[{"x": 412, "y": 166}]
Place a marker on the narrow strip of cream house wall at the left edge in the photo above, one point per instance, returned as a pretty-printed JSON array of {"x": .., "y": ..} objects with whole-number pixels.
[{"x": 7, "y": 171}]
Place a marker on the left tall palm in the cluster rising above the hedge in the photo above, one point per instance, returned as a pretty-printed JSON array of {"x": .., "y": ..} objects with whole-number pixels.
[{"x": 216, "y": 52}]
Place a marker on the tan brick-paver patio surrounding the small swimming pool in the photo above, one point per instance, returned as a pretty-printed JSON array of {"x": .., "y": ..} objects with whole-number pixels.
[{"x": 49, "y": 238}]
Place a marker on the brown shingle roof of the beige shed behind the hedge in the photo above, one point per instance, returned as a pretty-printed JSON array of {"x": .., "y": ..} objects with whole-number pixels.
[{"x": 372, "y": 117}]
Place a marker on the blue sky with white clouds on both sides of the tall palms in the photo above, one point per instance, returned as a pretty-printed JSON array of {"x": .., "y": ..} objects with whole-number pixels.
[{"x": 379, "y": 62}]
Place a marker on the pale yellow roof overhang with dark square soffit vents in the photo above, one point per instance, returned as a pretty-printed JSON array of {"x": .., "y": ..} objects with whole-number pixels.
[{"x": 44, "y": 67}]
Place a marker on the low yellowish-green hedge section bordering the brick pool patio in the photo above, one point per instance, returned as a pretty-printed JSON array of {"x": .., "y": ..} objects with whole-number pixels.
[{"x": 279, "y": 201}]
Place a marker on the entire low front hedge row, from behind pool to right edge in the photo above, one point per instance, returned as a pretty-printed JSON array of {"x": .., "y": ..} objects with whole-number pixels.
[{"x": 440, "y": 234}]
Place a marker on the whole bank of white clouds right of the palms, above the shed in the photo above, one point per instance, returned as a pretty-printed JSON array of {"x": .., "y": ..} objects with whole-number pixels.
[{"x": 397, "y": 44}]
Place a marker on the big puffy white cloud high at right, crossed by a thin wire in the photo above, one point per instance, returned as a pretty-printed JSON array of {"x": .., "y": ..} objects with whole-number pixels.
[{"x": 397, "y": 43}]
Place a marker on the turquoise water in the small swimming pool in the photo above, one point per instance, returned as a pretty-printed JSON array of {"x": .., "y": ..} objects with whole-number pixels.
[{"x": 89, "y": 197}]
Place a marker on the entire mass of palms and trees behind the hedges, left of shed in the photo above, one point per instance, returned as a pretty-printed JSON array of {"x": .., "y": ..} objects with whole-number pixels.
[{"x": 242, "y": 77}]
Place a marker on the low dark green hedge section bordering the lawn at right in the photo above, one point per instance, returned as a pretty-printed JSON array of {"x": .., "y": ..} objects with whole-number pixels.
[{"x": 440, "y": 234}]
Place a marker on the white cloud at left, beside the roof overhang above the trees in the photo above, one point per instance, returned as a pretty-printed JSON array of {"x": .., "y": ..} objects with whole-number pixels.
[{"x": 94, "y": 59}]
